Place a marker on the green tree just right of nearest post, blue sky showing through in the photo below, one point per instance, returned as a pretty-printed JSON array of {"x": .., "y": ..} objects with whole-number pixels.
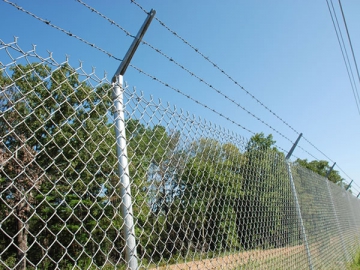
[{"x": 154, "y": 167}]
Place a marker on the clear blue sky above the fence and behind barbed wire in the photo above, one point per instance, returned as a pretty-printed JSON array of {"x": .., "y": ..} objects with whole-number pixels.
[{"x": 283, "y": 52}]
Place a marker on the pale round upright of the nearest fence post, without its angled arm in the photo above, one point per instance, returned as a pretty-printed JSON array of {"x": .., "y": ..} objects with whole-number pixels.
[{"x": 125, "y": 192}]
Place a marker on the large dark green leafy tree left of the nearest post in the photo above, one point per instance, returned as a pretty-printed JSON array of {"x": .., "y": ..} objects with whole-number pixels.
[{"x": 55, "y": 128}]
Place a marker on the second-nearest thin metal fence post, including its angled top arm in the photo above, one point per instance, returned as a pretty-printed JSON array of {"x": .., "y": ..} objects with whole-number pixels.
[{"x": 297, "y": 204}]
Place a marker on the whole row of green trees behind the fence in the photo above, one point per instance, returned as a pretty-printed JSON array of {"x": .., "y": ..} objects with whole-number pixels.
[{"x": 59, "y": 188}]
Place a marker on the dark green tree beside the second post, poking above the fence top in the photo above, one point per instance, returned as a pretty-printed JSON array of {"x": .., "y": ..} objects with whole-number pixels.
[{"x": 262, "y": 219}]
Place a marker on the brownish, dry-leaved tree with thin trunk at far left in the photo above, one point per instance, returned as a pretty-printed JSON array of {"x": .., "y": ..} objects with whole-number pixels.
[{"x": 19, "y": 194}]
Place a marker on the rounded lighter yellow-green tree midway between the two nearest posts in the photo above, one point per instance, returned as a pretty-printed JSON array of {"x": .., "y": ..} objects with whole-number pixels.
[{"x": 211, "y": 184}]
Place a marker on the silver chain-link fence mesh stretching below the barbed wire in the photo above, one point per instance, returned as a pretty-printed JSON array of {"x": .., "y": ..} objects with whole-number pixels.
[{"x": 201, "y": 197}]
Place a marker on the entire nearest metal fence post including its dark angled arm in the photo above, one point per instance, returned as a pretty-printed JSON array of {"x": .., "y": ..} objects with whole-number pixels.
[{"x": 121, "y": 148}]
